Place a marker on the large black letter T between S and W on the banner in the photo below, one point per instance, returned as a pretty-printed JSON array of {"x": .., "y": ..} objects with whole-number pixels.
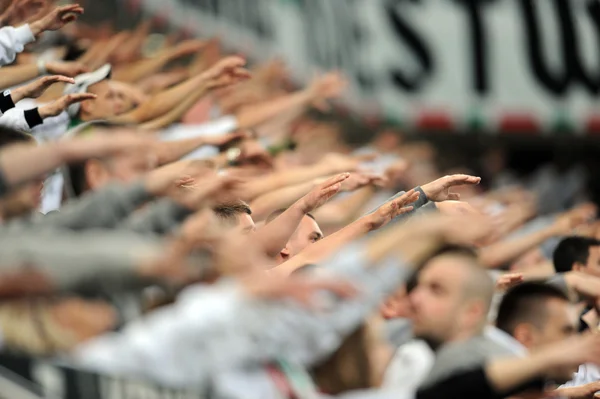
[{"x": 479, "y": 43}]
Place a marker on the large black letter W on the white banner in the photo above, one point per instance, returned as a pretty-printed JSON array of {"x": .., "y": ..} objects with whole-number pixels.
[{"x": 559, "y": 83}]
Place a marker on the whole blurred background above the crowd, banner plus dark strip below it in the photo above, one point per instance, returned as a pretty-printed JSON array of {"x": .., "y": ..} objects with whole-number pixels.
[{"x": 480, "y": 78}]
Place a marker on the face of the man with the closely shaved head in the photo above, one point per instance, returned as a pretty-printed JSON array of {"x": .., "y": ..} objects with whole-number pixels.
[{"x": 437, "y": 302}]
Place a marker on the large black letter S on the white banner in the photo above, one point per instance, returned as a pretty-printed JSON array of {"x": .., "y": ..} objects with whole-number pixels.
[{"x": 416, "y": 44}]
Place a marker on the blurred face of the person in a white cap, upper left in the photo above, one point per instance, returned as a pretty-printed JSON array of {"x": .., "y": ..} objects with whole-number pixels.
[{"x": 106, "y": 105}]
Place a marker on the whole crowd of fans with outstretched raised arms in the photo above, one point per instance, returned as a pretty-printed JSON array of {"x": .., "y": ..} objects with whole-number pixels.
[{"x": 175, "y": 216}]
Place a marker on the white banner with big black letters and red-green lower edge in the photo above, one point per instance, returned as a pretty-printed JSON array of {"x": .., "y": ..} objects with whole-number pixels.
[{"x": 507, "y": 64}]
